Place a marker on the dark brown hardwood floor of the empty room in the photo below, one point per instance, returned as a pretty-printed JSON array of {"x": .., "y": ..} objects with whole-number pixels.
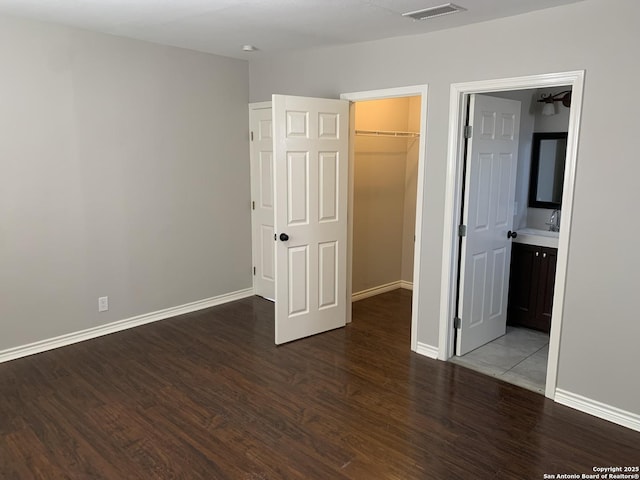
[{"x": 208, "y": 395}]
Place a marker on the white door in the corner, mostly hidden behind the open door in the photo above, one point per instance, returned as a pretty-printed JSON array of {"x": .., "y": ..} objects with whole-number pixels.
[{"x": 262, "y": 202}]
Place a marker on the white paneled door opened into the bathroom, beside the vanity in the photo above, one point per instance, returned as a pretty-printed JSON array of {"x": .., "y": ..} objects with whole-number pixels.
[{"x": 492, "y": 154}]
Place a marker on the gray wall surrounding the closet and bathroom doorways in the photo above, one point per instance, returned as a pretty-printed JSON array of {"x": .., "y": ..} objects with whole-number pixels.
[{"x": 598, "y": 349}]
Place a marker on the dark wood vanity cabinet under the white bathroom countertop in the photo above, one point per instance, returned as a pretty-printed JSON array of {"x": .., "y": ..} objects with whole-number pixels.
[{"x": 531, "y": 283}]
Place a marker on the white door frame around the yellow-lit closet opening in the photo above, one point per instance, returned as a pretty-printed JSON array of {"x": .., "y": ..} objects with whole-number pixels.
[{"x": 410, "y": 91}]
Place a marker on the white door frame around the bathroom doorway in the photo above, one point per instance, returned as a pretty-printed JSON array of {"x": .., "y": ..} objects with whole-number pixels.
[{"x": 457, "y": 115}]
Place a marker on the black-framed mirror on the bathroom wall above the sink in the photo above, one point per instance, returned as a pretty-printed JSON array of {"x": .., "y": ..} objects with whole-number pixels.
[{"x": 547, "y": 169}]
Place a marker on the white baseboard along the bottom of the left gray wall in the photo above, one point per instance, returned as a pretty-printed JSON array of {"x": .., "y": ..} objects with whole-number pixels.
[{"x": 119, "y": 325}]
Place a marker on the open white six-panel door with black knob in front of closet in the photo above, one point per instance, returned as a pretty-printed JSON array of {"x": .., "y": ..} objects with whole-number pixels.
[{"x": 311, "y": 168}]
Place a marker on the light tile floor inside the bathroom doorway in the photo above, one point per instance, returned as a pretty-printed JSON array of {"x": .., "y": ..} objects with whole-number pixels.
[{"x": 518, "y": 357}]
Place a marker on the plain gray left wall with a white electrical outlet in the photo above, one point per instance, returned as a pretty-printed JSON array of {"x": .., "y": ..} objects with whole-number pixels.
[{"x": 123, "y": 172}]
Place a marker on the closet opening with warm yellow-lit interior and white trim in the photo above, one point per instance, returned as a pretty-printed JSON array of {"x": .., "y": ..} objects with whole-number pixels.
[{"x": 386, "y": 178}]
